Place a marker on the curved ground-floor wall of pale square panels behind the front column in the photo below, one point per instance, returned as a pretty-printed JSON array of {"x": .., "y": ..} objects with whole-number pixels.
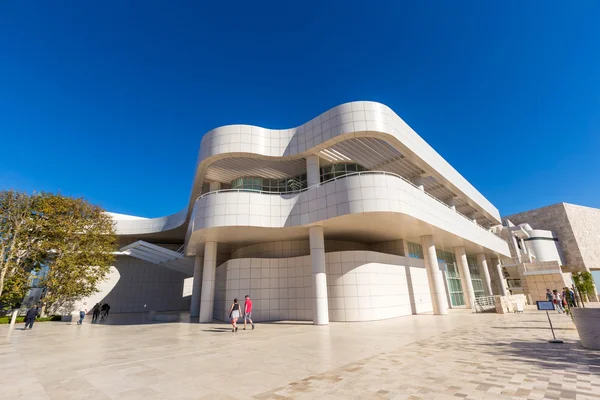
[{"x": 362, "y": 286}]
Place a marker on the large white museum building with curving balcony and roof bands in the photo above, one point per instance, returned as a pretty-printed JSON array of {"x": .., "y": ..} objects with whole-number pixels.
[{"x": 351, "y": 216}]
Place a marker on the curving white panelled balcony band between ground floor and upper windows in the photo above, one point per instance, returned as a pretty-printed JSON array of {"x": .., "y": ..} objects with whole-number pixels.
[{"x": 355, "y": 194}]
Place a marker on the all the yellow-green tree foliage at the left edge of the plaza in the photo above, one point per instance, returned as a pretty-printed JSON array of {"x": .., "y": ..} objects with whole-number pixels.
[{"x": 70, "y": 236}]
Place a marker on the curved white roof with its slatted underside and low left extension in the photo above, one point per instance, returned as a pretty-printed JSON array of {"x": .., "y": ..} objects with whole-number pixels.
[{"x": 359, "y": 131}]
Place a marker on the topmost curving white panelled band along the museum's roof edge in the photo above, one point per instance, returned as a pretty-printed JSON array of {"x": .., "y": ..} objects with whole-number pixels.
[{"x": 347, "y": 121}]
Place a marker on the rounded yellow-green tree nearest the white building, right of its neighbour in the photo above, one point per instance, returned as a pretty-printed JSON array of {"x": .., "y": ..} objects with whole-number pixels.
[{"x": 79, "y": 248}]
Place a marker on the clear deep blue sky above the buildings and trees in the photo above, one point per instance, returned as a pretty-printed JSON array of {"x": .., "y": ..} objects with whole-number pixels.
[{"x": 109, "y": 100}]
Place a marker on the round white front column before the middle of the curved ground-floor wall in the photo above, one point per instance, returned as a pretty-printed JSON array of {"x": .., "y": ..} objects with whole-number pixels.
[{"x": 319, "y": 277}]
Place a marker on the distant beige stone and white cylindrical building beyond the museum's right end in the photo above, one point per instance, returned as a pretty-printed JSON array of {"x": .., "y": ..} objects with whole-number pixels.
[{"x": 548, "y": 244}]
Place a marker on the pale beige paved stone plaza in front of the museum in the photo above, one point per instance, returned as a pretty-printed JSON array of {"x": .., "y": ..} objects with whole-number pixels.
[{"x": 462, "y": 355}]
